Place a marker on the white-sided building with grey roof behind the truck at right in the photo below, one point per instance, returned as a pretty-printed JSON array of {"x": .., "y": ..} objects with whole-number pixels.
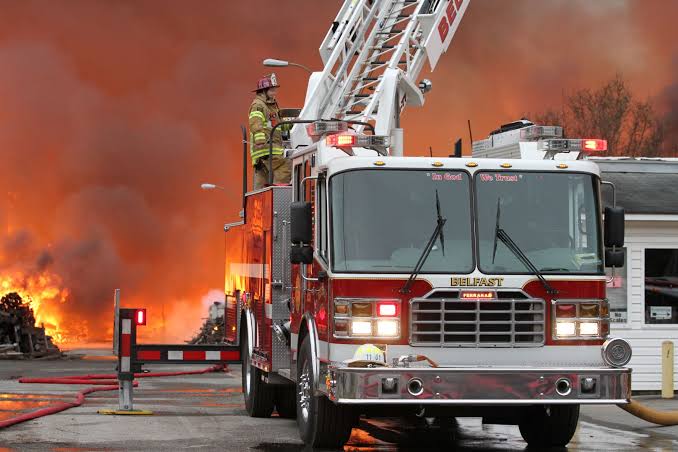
[{"x": 644, "y": 296}]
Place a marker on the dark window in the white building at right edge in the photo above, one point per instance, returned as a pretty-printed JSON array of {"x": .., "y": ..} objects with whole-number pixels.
[{"x": 661, "y": 286}]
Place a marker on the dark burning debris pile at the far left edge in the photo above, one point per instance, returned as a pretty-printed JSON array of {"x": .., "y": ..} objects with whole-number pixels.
[{"x": 19, "y": 336}]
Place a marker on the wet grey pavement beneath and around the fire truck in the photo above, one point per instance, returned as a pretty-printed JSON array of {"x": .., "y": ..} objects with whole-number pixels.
[{"x": 206, "y": 412}]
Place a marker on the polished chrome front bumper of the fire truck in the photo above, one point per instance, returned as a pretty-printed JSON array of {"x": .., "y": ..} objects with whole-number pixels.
[{"x": 478, "y": 385}]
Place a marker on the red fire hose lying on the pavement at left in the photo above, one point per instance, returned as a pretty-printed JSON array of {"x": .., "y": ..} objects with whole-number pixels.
[{"x": 100, "y": 382}]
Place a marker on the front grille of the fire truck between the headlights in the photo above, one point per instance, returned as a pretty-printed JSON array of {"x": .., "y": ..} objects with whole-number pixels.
[{"x": 442, "y": 319}]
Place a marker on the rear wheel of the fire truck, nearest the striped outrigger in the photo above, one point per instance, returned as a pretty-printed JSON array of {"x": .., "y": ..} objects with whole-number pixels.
[{"x": 258, "y": 394}]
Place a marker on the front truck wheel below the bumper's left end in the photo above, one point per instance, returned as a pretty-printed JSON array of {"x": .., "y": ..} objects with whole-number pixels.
[{"x": 321, "y": 422}]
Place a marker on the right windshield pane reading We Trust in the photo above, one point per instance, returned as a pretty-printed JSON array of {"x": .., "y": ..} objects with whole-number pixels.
[{"x": 552, "y": 217}]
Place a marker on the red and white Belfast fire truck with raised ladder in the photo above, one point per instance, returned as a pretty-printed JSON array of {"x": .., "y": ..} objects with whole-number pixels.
[{"x": 434, "y": 287}]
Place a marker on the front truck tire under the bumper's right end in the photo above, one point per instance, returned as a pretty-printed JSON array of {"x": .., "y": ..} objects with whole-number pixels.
[{"x": 551, "y": 426}]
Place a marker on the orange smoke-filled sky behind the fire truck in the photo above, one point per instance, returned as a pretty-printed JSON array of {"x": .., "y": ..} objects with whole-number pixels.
[{"x": 113, "y": 113}]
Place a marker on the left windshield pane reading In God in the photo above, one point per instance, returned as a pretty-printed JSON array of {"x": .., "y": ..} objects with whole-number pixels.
[{"x": 382, "y": 220}]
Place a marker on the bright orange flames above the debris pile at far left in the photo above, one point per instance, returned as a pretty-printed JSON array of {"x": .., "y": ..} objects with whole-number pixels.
[{"x": 45, "y": 294}]
